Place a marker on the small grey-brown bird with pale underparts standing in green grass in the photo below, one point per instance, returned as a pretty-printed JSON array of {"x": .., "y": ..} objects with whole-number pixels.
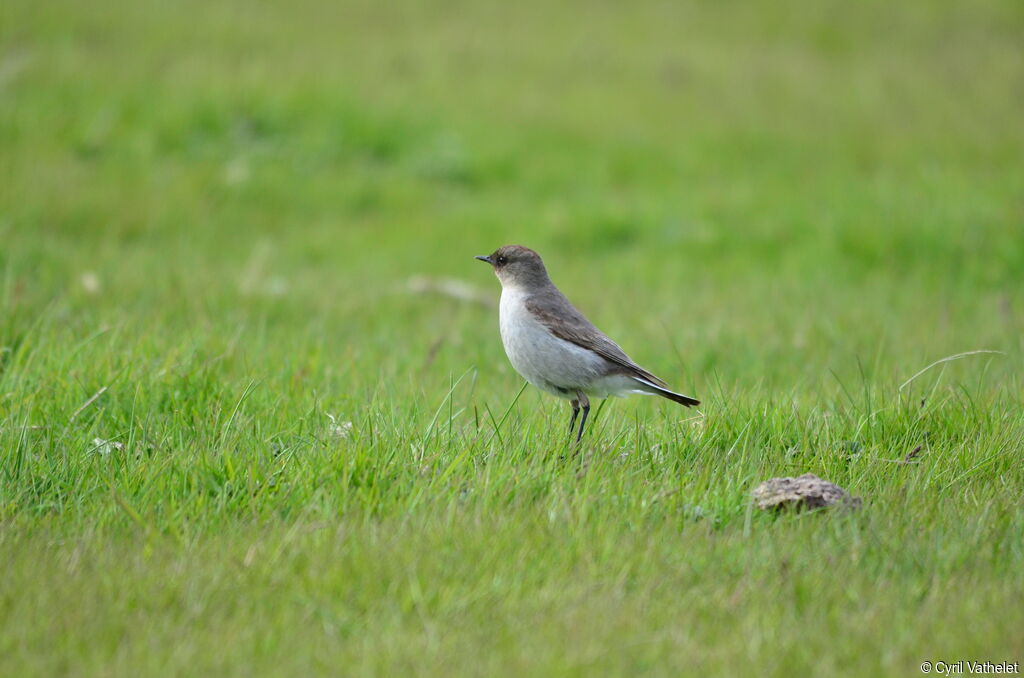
[{"x": 554, "y": 348}]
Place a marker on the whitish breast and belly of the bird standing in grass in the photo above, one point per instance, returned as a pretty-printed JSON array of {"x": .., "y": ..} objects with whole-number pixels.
[{"x": 551, "y": 364}]
